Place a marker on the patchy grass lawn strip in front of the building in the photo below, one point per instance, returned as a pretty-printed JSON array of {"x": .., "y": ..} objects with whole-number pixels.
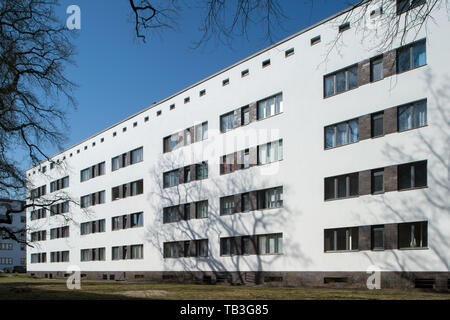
[{"x": 21, "y": 287}]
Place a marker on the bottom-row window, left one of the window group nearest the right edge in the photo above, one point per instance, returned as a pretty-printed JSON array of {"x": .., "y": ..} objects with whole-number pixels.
[{"x": 342, "y": 239}]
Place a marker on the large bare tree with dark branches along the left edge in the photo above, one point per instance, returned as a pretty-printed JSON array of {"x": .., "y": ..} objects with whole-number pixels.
[{"x": 35, "y": 48}]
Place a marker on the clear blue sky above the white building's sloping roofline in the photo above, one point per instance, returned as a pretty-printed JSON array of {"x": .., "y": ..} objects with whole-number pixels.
[{"x": 119, "y": 76}]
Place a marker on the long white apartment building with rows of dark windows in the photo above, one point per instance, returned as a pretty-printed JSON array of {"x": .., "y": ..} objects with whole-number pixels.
[{"x": 307, "y": 163}]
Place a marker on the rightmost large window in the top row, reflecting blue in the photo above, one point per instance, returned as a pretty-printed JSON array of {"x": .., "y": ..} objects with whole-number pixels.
[{"x": 411, "y": 56}]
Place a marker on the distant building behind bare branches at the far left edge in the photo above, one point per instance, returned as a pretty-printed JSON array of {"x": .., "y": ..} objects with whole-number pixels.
[{"x": 12, "y": 253}]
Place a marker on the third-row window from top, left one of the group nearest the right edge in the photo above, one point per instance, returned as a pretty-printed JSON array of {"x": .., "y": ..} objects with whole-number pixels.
[{"x": 342, "y": 186}]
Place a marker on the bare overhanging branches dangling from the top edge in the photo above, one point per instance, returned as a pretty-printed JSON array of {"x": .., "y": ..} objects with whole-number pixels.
[{"x": 225, "y": 20}]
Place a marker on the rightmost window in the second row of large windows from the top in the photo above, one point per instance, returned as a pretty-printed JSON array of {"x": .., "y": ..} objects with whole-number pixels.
[{"x": 412, "y": 116}]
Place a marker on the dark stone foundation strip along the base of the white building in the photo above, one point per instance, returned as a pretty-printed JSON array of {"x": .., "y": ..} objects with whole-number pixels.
[{"x": 439, "y": 281}]
